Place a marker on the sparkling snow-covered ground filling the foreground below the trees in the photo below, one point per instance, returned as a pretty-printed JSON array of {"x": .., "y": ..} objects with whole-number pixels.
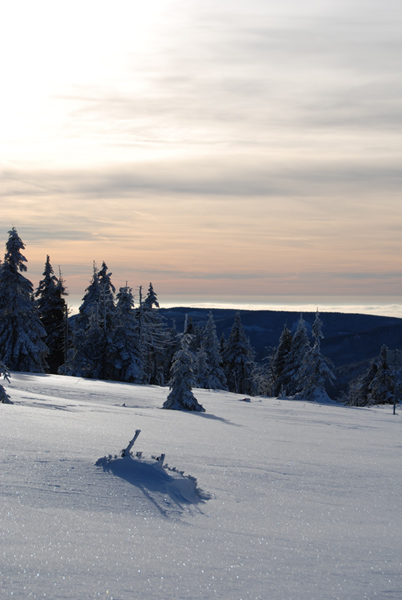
[{"x": 293, "y": 500}]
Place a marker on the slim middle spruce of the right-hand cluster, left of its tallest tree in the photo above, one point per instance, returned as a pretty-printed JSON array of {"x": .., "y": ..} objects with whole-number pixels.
[{"x": 295, "y": 359}]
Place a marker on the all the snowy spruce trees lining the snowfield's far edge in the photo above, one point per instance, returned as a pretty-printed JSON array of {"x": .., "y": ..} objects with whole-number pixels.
[{"x": 112, "y": 338}]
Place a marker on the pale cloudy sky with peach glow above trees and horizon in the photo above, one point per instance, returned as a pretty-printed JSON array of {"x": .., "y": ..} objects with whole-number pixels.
[{"x": 221, "y": 150}]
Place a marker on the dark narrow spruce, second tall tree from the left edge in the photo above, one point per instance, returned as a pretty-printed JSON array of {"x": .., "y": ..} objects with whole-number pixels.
[{"x": 52, "y": 311}]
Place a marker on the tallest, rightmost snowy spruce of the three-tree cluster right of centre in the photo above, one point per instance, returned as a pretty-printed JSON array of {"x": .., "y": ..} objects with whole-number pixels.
[{"x": 316, "y": 369}]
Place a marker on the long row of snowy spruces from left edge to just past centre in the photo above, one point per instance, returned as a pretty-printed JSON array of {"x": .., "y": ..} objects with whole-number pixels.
[{"x": 110, "y": 338}]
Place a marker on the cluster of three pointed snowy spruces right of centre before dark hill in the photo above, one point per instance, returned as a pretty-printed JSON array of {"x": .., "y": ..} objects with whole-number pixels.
[{"x": 298, "y": 368}]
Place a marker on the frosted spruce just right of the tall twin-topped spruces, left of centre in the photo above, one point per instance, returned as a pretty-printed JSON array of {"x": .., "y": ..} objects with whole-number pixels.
[{"x": 127, "y": 355}]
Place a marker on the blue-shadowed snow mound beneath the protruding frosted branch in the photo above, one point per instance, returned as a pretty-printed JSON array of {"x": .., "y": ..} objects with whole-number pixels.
[{"x": 167, "y": 488}]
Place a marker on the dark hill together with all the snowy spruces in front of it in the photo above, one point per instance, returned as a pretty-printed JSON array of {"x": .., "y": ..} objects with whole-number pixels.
[{"x": 121, "y": 336}]
